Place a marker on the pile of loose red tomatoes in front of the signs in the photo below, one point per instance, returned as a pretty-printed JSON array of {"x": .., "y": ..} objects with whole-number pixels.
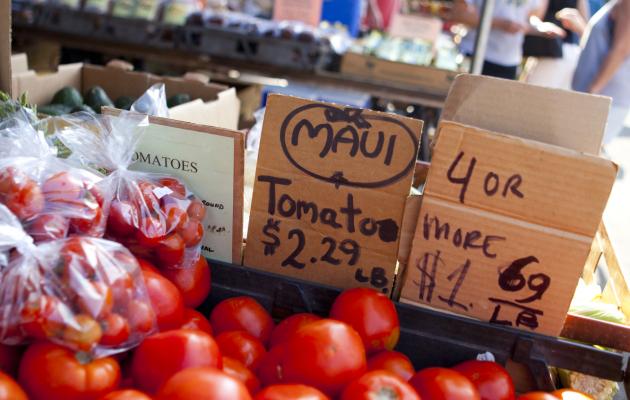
[{"x": 238, "y": 353}]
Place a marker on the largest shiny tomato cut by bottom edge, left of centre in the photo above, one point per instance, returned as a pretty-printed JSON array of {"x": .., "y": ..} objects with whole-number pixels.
[{"x": 203, "y": 384}]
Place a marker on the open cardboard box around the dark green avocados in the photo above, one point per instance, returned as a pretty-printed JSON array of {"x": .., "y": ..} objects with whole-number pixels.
[{"x": 217, "y": 105}]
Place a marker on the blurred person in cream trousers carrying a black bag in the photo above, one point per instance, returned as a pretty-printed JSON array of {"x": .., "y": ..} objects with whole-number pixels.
[{"x": 553, "y": 60}]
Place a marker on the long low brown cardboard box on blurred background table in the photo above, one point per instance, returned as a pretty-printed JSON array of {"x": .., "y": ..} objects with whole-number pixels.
[{"x": 432, "y": 80}]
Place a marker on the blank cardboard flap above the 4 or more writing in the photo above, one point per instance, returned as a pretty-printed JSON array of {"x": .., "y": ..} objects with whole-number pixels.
[{"x": 569, "y": 119}]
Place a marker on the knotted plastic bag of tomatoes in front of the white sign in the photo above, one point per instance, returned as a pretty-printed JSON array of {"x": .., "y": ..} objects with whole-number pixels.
[{"x": 153, "y": 215}]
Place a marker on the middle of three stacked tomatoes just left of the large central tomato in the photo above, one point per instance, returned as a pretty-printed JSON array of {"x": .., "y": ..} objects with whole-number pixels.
[{"x": 242, "y": 347}]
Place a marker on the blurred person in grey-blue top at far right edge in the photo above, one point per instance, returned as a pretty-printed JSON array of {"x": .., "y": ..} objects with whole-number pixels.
[{"x": 604, "y": 64}]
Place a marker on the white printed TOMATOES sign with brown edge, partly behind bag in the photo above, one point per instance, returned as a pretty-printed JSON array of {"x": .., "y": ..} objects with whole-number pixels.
[{"x": 210, "y": 161}]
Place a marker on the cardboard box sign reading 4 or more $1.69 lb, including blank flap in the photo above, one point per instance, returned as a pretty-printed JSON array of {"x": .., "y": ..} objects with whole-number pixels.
[{"x": 507, "y": 221}]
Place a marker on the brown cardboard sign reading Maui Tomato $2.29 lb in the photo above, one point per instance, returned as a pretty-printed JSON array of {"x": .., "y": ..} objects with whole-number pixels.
[{"x": 329, "y": 193}]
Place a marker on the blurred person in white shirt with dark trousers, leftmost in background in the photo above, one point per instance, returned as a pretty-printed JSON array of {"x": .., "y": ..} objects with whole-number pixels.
[{"x": 511, "y": 20}]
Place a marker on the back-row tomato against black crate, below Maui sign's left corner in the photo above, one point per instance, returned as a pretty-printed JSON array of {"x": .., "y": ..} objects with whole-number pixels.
[{"x": 242, "y": 314}]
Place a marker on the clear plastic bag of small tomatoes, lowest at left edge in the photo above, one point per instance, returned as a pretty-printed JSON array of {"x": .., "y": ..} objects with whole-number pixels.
[{"x": 87, "y": 294}]
